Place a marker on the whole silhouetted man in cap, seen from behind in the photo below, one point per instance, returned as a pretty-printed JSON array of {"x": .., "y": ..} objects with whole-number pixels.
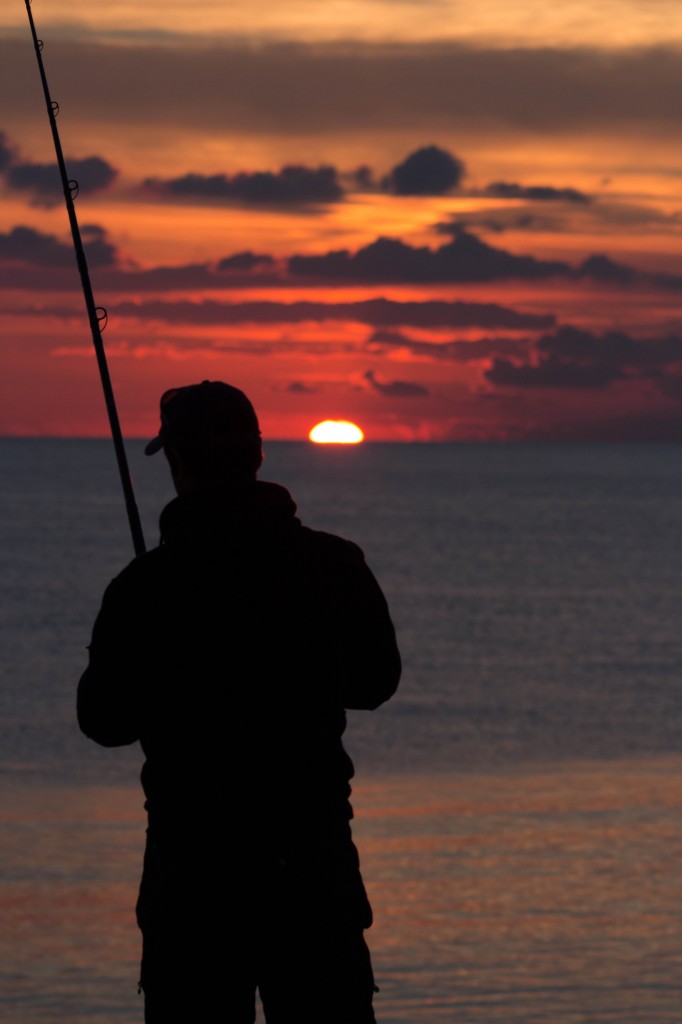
[{"x": 231, "y": 653}]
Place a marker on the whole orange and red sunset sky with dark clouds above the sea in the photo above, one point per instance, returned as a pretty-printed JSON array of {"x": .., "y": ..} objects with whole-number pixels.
[{"x": 443, "y": 222}]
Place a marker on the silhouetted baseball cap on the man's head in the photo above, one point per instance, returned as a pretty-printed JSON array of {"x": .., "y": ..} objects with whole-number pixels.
[{"x": 202, "y": 415}]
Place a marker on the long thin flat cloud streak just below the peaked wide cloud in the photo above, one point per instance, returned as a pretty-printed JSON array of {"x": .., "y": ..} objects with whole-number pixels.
[{"x": 375, "y": 313}]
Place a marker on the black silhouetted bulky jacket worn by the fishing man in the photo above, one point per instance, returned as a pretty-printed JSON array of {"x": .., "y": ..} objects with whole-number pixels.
[{"x": 231, "y": 653}]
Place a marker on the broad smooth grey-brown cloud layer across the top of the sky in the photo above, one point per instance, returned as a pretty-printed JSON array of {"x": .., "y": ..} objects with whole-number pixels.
[{"x": 320, "y": 90}]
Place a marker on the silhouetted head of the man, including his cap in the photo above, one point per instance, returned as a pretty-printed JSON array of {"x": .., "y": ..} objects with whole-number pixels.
[{"x": 210, "y": 435}]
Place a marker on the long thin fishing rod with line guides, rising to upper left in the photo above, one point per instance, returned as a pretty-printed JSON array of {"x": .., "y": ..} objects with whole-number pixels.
[{"x": 97, "y": 315}]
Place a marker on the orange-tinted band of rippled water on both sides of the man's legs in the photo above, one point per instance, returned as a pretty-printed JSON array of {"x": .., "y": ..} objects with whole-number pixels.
[{"x": 508, "y": 898}]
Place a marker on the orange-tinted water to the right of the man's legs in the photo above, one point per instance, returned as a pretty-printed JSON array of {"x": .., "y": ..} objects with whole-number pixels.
[{"x": 528, "y": 897}]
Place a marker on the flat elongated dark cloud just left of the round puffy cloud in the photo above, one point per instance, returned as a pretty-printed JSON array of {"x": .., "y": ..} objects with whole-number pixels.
[{"x": 291, "y": 186}]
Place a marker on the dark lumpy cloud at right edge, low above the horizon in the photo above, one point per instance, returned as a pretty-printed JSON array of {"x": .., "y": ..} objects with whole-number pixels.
[{"x": 572, "y": 359}]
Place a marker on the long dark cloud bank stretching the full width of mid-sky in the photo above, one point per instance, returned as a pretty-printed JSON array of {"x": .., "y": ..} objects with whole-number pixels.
[{"x": 465, "y": 259}]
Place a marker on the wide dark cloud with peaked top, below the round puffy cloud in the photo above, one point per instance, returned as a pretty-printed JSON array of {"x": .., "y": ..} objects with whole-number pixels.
[{"x": 466, "y": 259}]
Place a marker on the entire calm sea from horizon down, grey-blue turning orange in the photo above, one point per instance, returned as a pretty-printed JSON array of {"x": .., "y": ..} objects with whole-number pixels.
[{"x": 518, "y": 803}]
